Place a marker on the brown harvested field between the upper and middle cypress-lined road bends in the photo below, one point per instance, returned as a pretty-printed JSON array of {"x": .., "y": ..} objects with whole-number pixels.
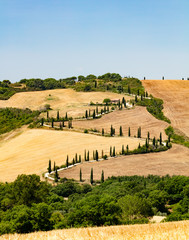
[{"x": 133, "y": 118}]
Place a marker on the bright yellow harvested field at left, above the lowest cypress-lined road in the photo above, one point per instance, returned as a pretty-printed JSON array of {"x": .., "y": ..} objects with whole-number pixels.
[{"x": 30, "y": 151}]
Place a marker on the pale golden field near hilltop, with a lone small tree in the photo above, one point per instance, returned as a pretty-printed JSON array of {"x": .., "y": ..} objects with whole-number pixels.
[{"x": 65, "y": 100}]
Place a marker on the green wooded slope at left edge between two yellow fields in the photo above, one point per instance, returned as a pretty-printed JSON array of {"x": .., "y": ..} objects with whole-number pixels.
[{"x": 12, "y": 118}]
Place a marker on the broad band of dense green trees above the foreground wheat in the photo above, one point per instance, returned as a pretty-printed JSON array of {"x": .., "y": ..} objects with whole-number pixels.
[{"x": 28, "y": 204}]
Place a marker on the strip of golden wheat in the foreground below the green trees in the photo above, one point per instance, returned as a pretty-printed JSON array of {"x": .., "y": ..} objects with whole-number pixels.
[{"x": 159, "y": 231}]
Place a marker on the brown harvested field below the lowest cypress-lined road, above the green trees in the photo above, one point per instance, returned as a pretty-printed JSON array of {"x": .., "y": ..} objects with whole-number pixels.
[{"x": 173, "y": 162}]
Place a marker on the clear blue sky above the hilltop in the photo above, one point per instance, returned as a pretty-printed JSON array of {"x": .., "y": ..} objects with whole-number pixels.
[{"x": 64, "y": 38}]
